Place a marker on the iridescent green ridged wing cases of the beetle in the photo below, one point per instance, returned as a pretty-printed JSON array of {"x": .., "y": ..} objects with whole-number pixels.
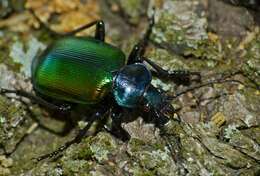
[{"x": 76, "y": 69}]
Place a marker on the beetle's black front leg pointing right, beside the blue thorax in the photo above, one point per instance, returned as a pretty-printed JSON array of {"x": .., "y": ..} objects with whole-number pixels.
[{"x": 184, "y": 77}]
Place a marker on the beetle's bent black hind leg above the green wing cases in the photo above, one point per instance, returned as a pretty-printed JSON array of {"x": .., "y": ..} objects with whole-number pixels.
[{"x": 100, "y": 28}]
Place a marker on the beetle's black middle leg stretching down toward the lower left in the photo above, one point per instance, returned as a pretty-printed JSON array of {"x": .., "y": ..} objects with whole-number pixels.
[{"x": 77, "y": 139}]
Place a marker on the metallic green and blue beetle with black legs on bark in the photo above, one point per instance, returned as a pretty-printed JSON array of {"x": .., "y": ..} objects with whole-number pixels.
[{"x": 89, "y": 71}]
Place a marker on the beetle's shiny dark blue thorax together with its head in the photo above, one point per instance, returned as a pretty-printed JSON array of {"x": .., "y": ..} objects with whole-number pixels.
[{"x": 132, "y": 88}]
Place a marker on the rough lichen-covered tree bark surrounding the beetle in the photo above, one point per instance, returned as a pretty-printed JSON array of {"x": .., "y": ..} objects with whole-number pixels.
[{"x": 219, "y": 132}]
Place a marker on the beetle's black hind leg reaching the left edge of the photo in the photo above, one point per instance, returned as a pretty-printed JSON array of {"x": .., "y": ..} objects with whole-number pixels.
[{"x": 36, "y": 99}]
